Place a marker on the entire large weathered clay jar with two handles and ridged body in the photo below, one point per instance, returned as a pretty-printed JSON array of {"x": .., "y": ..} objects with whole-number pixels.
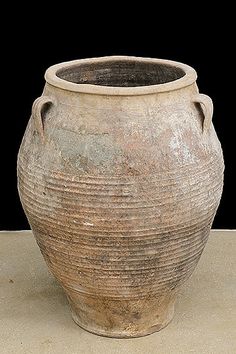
[{"x": 120, "y": 174}]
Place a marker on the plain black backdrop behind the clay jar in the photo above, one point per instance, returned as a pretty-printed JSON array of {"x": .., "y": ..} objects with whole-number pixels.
[{"x": 38, "y": 40}]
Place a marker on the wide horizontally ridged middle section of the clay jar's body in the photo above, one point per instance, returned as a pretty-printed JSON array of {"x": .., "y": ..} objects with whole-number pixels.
[{"x": 121, "y": 237}]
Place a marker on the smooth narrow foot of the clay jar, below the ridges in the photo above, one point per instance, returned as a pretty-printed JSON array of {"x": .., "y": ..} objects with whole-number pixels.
[{"x": 122, "y": 319}]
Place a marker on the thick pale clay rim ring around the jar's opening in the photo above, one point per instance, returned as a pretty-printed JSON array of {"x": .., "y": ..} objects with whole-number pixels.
[{"x": 186, "y": 80}]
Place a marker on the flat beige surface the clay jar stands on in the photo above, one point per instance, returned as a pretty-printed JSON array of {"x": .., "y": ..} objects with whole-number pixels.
[{"x": 35, "y": 317}]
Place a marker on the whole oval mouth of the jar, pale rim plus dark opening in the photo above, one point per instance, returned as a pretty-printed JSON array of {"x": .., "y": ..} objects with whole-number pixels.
[{"x": 120, "y": 75}]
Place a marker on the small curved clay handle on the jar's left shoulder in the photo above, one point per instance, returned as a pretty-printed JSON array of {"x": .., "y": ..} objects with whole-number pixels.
[{"x": 37, "y": 109}]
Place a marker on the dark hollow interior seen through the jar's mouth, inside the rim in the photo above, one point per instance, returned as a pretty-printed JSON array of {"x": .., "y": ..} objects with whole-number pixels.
[{"x": 121, "y": 73}]
